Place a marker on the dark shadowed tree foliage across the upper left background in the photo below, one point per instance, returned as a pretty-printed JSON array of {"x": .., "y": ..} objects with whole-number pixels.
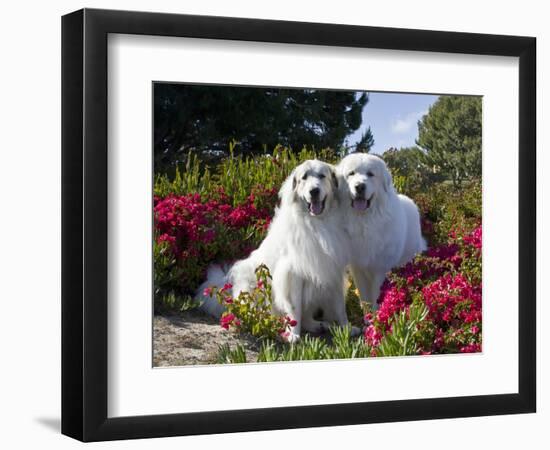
[{"x": 204, "y": 119}]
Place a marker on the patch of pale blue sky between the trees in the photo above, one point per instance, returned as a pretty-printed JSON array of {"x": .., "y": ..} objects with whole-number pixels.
[{"x": 393, "y": 119}]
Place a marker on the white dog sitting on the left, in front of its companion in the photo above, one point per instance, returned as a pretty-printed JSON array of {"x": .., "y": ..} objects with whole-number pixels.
[{"x": 306, "y": 251}]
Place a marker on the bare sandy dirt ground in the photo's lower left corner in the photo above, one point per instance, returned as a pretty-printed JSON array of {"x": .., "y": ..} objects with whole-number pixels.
[{"x": 191, "y": 337}]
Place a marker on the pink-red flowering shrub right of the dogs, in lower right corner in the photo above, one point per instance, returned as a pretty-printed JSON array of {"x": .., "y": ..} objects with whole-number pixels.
[{"x": 446, "y": 282}]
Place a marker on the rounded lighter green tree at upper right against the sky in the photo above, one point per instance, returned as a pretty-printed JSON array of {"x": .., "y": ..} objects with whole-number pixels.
[{"x": 451, "y": 135}]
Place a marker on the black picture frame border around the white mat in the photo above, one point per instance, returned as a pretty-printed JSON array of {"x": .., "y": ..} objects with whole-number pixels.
[{"x": 84, "y": 224}]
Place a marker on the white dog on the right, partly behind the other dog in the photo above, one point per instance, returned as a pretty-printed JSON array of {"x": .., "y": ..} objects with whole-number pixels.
[{"x": 384, "y": 227}]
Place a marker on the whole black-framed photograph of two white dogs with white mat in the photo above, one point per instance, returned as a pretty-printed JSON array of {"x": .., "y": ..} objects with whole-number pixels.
[{"x": 273, "y": 224}]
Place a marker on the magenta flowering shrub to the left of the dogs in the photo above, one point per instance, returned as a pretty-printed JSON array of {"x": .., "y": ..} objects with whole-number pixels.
[{"x": 191, "y": 234}]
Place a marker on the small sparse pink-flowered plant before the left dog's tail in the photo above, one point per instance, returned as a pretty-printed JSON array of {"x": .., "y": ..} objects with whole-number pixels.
[{"x": 251, "y": 311}]
